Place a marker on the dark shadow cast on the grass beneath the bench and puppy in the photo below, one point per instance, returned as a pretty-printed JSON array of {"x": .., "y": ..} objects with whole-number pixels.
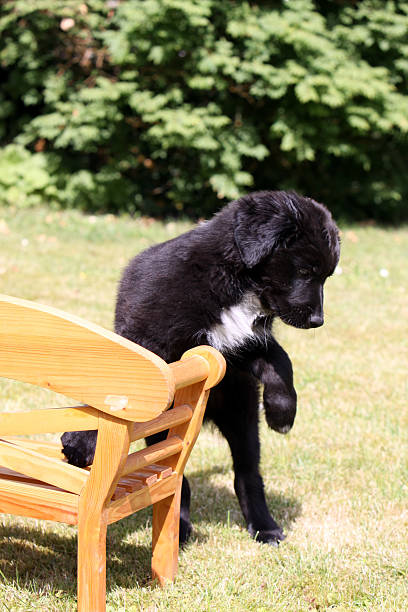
[{"x": 36, "y": 559}]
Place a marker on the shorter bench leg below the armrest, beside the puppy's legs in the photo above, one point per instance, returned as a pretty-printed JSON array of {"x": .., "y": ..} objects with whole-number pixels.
[{"x": 165, "y": 539}]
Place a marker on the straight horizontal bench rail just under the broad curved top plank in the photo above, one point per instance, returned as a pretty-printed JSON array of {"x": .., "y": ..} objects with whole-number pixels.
[{"x": 49, "y": 420}]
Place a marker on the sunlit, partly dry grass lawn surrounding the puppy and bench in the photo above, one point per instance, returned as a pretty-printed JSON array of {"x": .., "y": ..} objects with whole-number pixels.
[{"x": 338, "y": 483}]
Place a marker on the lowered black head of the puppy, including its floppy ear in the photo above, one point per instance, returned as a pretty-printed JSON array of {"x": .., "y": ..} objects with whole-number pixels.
[{"x": 290, "y": 245}]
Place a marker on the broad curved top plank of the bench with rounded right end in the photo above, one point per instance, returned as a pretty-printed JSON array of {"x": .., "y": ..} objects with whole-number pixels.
[{"x": 47, "y": 347}]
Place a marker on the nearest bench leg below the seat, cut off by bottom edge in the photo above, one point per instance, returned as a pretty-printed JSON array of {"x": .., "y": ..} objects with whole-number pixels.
[{"x": 92, "y": 564}]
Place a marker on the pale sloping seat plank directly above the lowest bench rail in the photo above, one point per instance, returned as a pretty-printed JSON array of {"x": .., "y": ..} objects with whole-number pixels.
[{"x": 45, "y": 469}]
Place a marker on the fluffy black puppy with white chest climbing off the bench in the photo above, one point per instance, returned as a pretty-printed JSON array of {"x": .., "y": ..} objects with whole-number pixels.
[{"x": 263, "y": 256}]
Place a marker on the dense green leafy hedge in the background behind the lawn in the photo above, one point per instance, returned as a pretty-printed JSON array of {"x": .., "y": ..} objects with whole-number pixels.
[{"x": 166, "y": 106}]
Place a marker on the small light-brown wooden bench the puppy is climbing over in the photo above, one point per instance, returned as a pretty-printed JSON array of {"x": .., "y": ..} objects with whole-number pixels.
[{"x": 124, "y": 391}]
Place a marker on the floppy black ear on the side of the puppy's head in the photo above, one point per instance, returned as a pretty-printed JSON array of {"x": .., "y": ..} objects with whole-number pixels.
[{"x": 259, "y": 233}]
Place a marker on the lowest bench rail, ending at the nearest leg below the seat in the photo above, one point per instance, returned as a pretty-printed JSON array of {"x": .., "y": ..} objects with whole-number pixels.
[{"x": 38, "y": 502}]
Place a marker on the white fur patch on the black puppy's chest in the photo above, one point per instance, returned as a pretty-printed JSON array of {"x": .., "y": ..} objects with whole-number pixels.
[{"x": 236, "y": 325}]
